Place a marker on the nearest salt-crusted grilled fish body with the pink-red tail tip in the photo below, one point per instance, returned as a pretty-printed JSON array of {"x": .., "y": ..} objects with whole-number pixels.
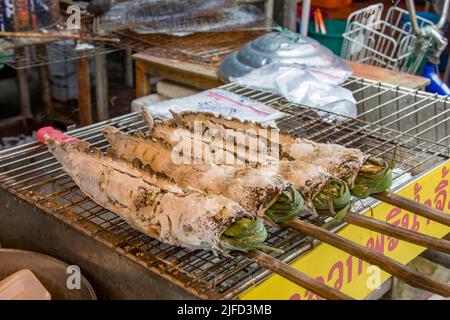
[{"x": 147, "y": 202}]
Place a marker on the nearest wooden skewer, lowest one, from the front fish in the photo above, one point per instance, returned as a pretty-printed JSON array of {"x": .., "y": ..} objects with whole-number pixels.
[{"x": 296, "y": 276}]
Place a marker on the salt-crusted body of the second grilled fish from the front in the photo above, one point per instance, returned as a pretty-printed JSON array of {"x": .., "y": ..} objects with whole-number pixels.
[{"x": 255, "y": 189}]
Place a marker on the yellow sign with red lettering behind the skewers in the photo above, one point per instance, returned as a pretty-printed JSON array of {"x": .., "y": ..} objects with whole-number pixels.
[{"x": 352, "y": 275}]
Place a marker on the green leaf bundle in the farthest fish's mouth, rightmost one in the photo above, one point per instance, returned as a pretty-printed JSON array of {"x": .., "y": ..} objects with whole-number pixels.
[{"x": 375, "y": 176}]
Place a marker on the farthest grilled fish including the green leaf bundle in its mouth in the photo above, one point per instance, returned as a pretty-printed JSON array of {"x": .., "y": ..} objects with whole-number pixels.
[{"x": 365, "y": 175}]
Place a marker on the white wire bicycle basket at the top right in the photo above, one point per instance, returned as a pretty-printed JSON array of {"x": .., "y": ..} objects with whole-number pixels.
[{"x": 388, "y": 43}]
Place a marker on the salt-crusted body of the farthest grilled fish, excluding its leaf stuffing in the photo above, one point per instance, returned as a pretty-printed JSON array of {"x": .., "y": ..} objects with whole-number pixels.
[{"x": 339, "y": 161}]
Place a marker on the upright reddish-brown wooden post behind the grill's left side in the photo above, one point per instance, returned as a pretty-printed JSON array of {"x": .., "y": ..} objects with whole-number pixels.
[{"x": 84, "y": 91}]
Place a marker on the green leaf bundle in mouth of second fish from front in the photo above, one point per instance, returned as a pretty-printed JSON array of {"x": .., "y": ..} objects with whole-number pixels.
[{"x": 287, "y": 206}]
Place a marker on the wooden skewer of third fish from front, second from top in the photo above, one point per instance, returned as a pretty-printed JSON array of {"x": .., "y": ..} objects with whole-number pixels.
[{"x": 395, "y": 231}]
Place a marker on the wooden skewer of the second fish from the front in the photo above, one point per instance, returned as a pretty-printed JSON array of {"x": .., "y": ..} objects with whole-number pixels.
[{"x": 409, "y": 275}]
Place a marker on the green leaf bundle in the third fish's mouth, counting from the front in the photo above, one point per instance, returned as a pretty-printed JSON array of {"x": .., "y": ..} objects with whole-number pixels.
[{"x": 335, "y": 195}]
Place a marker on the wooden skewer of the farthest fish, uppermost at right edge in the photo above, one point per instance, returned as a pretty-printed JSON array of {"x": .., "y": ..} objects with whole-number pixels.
[{"x": 414, "y": 207}]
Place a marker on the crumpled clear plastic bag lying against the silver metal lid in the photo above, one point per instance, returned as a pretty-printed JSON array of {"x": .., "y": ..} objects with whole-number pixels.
[{"x": 309, "y": 86}]
